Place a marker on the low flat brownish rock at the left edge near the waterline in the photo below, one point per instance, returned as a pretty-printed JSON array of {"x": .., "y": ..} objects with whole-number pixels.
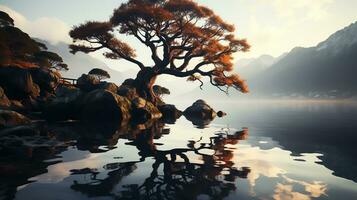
[{"x": 11, "y": 118}]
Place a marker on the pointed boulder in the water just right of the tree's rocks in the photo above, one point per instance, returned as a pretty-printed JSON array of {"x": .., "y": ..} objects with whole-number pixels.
[{"x": 200, "y": 109}]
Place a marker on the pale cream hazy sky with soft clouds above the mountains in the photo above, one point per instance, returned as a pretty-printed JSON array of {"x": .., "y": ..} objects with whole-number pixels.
[{"x": 271, "y": 26}]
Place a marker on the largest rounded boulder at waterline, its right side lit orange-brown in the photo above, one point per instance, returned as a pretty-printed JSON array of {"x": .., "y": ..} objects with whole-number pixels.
[{"x": 103, "y": 106}]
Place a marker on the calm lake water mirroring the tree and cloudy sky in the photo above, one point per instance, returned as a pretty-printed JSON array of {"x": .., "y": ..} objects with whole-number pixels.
[{"x": 261, "y": 150}]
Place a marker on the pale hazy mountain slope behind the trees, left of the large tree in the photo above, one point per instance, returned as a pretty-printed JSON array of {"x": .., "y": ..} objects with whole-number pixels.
[{"x": 81, "y": 63}]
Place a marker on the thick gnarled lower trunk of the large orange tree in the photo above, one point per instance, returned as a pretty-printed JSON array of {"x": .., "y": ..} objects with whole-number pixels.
[{"x": 144, "y": 83}]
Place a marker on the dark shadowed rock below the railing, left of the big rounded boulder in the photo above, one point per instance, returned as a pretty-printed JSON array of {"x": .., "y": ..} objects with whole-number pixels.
[{"x": 67, "y": 105}]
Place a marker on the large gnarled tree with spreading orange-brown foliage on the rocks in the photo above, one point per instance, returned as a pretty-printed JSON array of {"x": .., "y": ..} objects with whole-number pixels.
[{"x": 185, "y": 40}]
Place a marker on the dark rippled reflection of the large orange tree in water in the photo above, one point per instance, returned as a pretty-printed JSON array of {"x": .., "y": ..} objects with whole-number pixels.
[{"x": 173, "y": 174}]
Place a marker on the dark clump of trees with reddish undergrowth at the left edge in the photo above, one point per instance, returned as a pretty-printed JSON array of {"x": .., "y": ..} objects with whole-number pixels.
[{"x": 19, "y": 49}]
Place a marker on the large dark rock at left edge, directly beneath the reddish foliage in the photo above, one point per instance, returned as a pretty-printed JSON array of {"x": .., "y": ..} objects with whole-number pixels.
[{"x": 17, "y": 83}]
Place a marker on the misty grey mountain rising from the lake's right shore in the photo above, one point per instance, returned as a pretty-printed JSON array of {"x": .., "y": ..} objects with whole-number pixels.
[{"x": 327, "y": 70}]
